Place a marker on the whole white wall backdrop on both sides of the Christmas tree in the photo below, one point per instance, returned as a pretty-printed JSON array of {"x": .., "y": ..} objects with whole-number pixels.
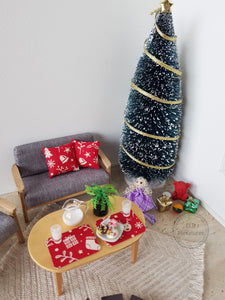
[{"x": 66, "y": 68}]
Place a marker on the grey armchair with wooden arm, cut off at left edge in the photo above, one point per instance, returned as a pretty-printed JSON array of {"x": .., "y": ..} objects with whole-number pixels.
[{"x": 9, "y": 223}]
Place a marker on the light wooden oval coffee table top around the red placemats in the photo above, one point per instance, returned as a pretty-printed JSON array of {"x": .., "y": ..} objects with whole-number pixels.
[{"x": 41, "y": 232}]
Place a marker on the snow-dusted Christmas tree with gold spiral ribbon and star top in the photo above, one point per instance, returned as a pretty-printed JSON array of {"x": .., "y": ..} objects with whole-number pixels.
[{"x": 149, "y": 141}]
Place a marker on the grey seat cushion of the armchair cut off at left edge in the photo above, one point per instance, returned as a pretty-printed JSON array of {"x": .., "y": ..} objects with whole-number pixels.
[{"x": 8, "y": 227}]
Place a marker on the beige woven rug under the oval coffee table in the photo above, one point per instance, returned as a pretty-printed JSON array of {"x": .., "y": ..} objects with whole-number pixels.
[{"x": 164, "y": 270}]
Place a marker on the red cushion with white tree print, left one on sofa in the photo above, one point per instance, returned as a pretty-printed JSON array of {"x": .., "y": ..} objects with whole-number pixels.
[{"x": 60, "y": 159}]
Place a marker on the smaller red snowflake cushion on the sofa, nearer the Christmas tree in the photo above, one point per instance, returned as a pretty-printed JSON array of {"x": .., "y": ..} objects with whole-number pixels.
[{"x": 87, "y": 153}]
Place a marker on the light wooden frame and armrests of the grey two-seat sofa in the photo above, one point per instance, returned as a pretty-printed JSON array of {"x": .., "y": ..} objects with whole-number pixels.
[{"x": 103, "y": 161}]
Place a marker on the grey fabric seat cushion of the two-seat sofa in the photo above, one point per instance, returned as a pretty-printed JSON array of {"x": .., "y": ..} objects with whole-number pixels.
[{"x": 40, "y": 188}]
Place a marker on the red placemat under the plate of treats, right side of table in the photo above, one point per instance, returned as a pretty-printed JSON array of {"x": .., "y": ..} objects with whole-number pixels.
[{"x": 132, "y": 226}]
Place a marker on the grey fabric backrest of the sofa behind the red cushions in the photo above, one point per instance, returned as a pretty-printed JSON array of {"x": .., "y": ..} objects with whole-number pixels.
[{"x": 30, "y": 159}]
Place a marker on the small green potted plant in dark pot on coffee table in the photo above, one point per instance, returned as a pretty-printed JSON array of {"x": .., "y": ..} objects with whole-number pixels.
[{"x": 100, "y": 198}]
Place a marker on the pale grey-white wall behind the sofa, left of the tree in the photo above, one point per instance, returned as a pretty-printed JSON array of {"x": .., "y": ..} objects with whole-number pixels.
[{"x": 65, "y": 67}]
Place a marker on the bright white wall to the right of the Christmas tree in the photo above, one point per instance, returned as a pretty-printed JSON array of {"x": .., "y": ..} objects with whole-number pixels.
[{"x": 200, "y": 31}]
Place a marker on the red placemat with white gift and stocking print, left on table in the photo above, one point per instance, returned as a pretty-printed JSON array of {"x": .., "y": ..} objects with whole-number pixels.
[{"x": 75, "y": 245}]
